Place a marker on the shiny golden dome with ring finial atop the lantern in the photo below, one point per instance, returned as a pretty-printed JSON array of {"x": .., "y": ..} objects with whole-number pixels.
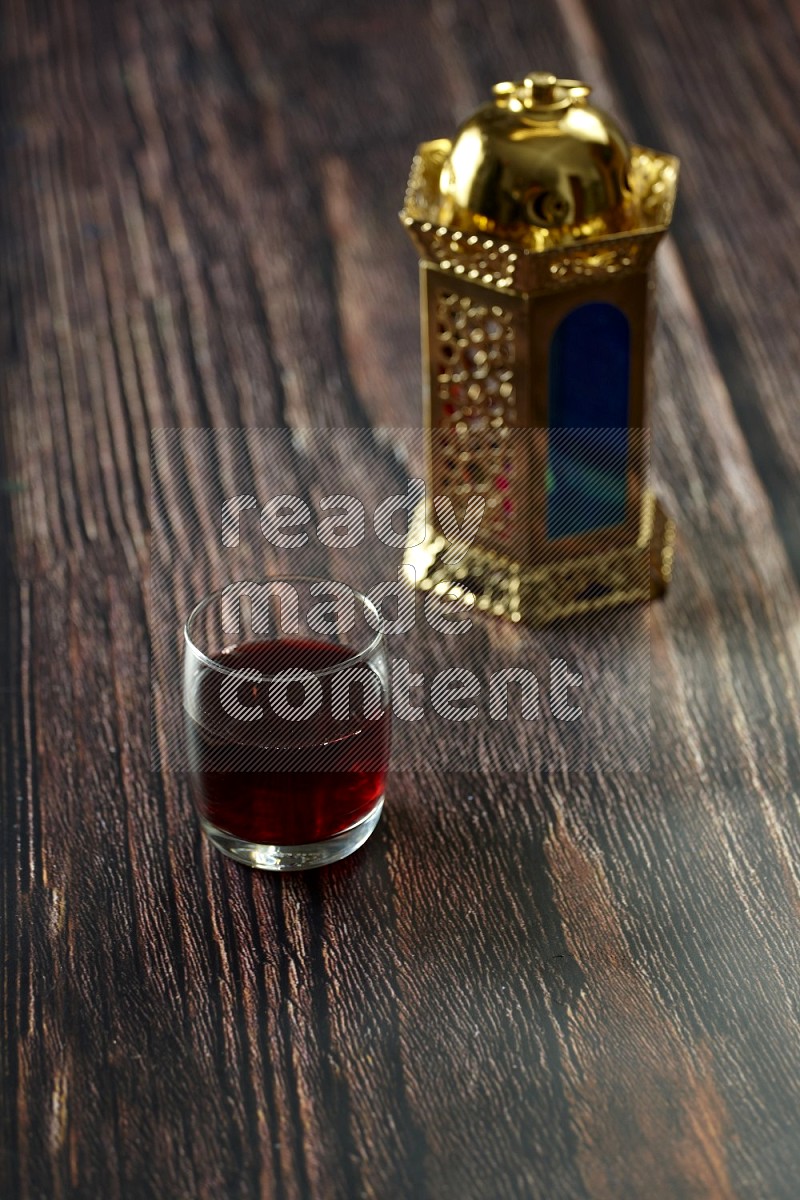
[{"x": 540, "y": 166}]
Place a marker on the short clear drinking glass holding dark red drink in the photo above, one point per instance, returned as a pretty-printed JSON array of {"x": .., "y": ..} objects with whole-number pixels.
[{"x": 286, "y": 695}]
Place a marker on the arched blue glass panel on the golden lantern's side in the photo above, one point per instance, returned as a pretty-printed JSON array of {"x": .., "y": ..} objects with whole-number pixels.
[{"x": 588, "y": 410}]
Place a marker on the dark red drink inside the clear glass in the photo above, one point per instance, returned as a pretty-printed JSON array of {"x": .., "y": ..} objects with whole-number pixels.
[{"x": 274, "y": 781}]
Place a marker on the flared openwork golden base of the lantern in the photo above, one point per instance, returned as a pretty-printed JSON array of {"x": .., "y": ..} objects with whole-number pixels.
[{"x": 542, "y": 595}]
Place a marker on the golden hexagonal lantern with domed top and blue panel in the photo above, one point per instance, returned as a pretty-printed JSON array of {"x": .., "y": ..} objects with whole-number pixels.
[{"x": 537, "y": 229}]
